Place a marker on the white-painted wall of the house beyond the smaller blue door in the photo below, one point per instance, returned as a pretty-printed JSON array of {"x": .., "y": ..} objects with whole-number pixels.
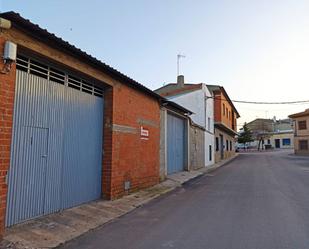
[{"x": 203, "y": 115}]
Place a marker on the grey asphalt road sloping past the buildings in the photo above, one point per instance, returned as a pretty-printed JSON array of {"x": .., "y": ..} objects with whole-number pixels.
[{"x": 258, "y": 201}]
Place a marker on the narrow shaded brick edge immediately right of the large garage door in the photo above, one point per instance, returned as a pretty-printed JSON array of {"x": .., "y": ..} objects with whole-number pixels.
[{"x": 107, "y": 143}]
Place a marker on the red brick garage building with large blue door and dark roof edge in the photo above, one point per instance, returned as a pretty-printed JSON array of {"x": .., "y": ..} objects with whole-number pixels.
[{"x": 72, "y": 129}]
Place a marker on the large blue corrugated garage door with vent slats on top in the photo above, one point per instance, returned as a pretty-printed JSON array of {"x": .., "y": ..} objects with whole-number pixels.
[{"x": 56, "y": 156}]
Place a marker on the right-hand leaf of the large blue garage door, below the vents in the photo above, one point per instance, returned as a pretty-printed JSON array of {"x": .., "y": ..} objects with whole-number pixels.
[{"x": 82, "y": 173}]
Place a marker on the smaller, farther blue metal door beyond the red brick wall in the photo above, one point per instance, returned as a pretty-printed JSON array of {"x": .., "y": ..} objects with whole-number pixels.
[{"x": 176, "y": 152}]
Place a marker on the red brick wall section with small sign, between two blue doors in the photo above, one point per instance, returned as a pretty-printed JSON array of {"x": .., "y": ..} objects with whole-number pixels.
[{"x": 133, "y": 159}]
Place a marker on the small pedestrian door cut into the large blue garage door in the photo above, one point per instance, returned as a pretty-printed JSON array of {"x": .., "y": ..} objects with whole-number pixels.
[{"x": 31, "y": 175}]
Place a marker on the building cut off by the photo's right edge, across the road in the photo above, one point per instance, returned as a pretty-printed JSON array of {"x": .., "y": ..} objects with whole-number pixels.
[{"x": 301, "y": 132}]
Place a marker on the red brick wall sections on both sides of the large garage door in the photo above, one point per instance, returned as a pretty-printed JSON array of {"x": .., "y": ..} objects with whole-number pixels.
[{"x": 126, "y": 155}]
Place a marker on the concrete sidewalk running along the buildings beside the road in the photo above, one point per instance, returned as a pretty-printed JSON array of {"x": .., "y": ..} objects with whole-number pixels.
[{"x": 53, "y": 230}]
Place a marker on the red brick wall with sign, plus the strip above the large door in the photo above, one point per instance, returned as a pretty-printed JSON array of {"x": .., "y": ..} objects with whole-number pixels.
[{"x": 123, "y": 152}]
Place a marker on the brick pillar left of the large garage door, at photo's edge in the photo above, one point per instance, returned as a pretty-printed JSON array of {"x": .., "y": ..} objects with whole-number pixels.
[{"x": 7, "y": 92}]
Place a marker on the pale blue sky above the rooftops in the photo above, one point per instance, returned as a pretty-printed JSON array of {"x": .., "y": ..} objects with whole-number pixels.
[{"x": 257, "y": 50}]
